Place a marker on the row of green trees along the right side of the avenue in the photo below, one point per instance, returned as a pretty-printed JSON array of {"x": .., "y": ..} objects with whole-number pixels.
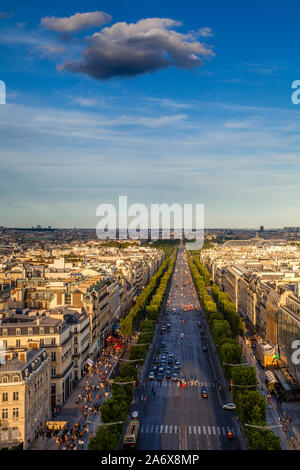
[{"x": 225, "y": 325}]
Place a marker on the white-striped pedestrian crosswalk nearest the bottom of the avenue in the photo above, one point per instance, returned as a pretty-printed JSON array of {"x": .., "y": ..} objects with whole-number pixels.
[{"x": 189, "y": 429}]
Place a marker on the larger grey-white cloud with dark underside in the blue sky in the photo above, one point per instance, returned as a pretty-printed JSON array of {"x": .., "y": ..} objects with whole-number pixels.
[{"x": 137, "y": 48}]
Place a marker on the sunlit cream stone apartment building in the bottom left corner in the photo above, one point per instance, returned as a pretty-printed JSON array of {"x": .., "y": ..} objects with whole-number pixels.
[{"x": 24, "y": 396}]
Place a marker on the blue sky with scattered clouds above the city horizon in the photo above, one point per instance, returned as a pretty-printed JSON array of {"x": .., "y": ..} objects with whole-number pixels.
[{"x": 164, "y": 102}]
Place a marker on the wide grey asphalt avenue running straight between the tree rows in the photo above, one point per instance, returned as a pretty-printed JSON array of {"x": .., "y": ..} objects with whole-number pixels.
[{"x": 175, "y": 418}]
